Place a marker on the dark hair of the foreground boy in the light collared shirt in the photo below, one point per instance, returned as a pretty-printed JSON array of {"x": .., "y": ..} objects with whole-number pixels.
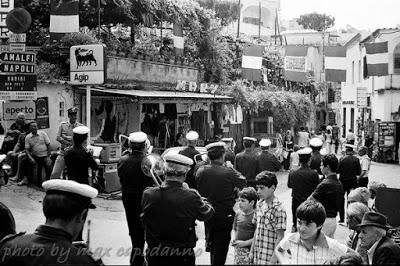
[{"x": 311, "y": 211}]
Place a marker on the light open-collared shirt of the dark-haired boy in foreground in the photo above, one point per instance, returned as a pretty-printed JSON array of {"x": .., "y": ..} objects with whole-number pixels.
[{"x": 324, "y": 251}]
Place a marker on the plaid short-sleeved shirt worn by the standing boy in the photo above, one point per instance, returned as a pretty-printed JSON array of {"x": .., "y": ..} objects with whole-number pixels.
[{"x": 269, "y": 218}]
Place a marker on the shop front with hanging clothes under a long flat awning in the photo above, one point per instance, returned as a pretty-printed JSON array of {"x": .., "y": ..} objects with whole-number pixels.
[{"x": 160, "y": 114}]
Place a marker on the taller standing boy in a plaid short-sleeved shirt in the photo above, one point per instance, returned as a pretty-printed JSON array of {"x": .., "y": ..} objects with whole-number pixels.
[{"x": 270, "y": 220}]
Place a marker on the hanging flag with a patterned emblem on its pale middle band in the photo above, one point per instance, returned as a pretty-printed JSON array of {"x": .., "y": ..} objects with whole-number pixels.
[{"x": 295, "y": 63}]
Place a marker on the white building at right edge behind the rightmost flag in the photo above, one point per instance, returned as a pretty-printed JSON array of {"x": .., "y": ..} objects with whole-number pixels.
[{"x": 380, "y": 94}]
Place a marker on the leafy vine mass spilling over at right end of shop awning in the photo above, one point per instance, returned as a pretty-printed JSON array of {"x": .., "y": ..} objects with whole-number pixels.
[{"x": 289, "y": 109}]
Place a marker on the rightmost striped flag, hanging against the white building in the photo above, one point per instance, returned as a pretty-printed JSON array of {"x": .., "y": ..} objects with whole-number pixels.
[{"x": 377, "y": 59}]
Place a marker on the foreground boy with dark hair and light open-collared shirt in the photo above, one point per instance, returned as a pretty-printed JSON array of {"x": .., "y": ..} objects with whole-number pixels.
[{"x": 309, "y": 245}]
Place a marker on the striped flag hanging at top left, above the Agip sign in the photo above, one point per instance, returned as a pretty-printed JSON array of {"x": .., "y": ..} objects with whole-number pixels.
[{"x": 64, "y": 16}]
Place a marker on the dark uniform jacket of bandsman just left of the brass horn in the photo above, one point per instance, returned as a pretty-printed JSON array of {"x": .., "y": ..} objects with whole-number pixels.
[{"x": 133, "y": 180}]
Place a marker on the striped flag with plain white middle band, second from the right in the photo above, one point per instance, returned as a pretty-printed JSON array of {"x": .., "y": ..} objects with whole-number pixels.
[{"x": 335, "y": 63}]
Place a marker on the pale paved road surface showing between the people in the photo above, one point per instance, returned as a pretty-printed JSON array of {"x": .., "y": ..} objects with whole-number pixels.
[{"x": 109, "y": 232}]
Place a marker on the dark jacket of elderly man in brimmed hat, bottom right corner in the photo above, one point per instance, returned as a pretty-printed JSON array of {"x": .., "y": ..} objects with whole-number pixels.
[{"x": 386, "y": 253}]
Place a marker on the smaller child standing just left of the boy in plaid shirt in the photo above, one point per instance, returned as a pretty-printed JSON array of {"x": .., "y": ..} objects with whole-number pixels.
[{"x": 243, "y": 226}]
